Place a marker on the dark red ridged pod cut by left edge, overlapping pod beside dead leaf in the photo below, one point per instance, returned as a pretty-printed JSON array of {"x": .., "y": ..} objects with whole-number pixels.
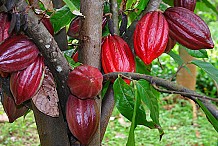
[{"x": 16, "y": 53}]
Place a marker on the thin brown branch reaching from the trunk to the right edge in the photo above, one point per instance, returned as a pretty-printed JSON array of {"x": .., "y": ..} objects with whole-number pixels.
[{"x": 167, "y": 85}]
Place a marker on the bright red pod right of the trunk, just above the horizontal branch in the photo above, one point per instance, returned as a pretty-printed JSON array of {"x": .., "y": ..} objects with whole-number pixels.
[{"x": 116, "y": 55}]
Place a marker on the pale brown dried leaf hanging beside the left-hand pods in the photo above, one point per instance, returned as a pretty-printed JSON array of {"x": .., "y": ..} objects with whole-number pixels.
[{"x": 46, "y": 99}]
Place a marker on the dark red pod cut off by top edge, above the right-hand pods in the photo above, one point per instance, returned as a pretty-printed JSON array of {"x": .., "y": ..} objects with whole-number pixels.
[{"x": 188, "y": 4}]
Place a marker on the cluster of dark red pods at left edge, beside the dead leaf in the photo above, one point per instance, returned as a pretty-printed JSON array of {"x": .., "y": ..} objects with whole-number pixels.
[{"x": 21, "y": 62}]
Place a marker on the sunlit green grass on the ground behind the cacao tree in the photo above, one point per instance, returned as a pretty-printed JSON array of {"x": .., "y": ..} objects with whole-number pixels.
[{"x": 176, "y": 122}]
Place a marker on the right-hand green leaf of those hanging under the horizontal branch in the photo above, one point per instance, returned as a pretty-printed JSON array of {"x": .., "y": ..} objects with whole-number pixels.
[{"x": 150, "y": 98}]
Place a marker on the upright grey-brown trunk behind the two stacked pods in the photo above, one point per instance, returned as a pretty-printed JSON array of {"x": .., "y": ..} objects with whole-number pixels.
[{"x": 90, "y": 43}]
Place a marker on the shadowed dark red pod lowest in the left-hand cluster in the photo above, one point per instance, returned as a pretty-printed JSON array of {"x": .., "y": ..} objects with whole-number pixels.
[{"x": 12, "y": 110}]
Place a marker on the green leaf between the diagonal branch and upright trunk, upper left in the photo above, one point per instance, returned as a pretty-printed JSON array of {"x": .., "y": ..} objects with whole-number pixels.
[{"x": 61, "y": 18}]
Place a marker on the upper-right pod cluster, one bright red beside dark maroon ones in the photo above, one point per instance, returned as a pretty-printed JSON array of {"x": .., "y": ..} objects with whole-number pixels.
[{"x": 158, "y": 32}]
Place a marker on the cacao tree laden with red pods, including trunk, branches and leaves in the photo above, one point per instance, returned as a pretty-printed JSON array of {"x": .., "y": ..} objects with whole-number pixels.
[{"x": 72, "y": 61}]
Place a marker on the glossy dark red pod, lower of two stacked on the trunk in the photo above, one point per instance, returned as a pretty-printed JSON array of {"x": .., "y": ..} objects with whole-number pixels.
[{"x": 82, "y": 118}]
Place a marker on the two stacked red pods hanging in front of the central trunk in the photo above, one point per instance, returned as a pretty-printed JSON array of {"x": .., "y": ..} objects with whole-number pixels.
[{"x": 82, "y": 113}]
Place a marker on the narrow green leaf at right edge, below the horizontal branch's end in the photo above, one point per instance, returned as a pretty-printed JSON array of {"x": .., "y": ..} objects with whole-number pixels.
[{"x": 210, "y": 117}]
